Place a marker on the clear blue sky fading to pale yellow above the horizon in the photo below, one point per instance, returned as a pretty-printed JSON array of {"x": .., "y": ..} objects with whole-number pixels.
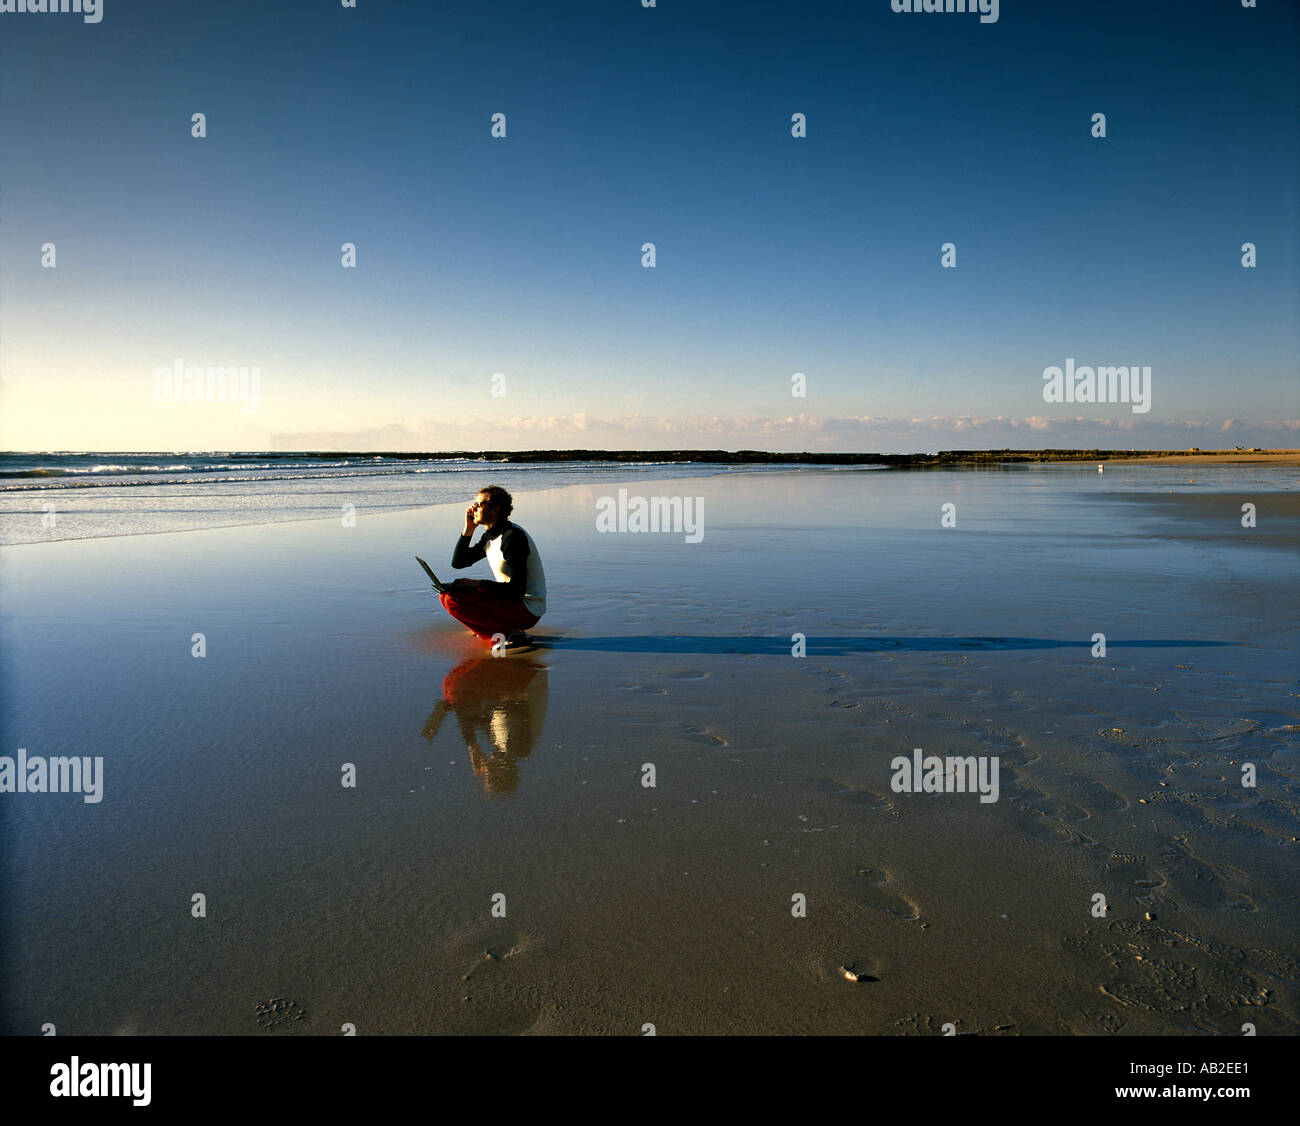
[{"x": 668, "y": 125}]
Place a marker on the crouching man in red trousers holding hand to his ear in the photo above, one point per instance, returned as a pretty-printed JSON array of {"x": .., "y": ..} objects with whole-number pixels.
[{"x": 517, "y": 600}]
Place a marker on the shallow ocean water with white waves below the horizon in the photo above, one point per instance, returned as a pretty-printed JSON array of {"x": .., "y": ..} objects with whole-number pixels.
[{"x": 75, "y": 496}]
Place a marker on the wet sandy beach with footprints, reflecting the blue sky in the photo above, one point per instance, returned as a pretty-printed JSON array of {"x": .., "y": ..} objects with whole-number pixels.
[{"x": 521, "y": 777}]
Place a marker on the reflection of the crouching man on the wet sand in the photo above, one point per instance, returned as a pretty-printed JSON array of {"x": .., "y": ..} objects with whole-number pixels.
[{"x": 501, "y": 705}]
